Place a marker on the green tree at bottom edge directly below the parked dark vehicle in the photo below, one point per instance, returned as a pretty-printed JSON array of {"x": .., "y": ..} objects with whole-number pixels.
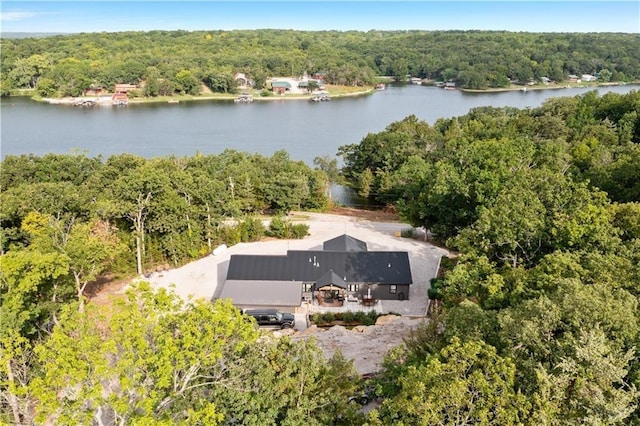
[{"x": 288, "y": 383}]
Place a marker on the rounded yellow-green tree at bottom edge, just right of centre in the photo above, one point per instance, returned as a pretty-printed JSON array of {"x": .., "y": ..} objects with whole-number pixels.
[{"x": 466, "y": 383}]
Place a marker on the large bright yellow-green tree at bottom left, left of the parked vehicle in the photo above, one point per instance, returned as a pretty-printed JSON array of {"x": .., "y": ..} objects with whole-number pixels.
[{"x": 149, "y": 362}]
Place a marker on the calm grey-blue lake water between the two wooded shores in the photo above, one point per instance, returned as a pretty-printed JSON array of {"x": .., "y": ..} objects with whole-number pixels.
[{"x": 304, "y": 129}]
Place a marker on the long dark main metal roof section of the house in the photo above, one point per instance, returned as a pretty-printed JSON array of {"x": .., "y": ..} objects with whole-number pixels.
[{"x": 362, "y": 266}]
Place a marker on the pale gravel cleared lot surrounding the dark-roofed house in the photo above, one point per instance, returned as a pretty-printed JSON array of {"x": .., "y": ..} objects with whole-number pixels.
[{"x": 366, "y": 346}]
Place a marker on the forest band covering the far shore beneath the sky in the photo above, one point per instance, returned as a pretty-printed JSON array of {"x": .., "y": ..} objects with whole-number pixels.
[{"x": 170, "y": 62}]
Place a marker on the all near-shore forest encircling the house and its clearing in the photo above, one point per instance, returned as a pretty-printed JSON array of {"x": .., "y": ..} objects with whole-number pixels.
[{"x": 535, "y": 320}]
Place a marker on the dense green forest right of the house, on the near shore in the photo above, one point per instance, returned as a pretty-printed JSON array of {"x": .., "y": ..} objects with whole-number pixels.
[{"x": 537, "y": 320}]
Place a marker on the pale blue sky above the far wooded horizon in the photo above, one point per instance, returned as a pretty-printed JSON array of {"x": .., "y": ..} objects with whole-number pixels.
[{"x": 361, "y": 15}]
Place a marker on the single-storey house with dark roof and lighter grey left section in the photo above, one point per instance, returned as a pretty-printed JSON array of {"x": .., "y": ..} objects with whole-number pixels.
[{"x": 343, "y": 268}]
